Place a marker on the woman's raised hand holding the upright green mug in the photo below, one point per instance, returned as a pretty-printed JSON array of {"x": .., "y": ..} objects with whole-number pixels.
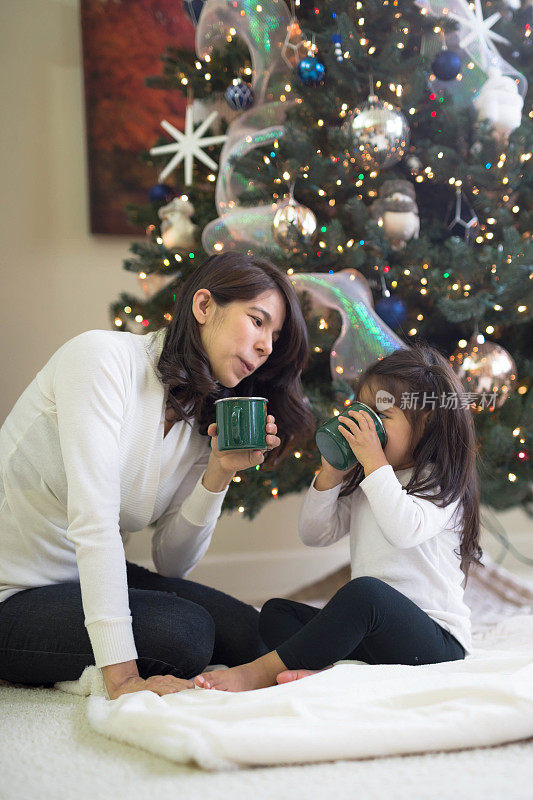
[{"x": 223, "y": 464}]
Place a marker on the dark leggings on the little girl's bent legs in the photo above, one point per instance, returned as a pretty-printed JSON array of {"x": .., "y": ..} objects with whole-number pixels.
[{"x": 367, "y": 620}]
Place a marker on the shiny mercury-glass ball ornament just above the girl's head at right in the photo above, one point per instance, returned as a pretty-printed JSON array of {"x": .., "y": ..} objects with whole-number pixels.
[{"x": 487, "y": 371}]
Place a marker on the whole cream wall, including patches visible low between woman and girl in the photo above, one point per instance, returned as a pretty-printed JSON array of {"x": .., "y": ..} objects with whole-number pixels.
[{"x": 57, "y": 279}]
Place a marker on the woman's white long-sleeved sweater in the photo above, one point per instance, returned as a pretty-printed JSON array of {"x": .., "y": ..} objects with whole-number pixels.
[{"x": 83, "y": 459}]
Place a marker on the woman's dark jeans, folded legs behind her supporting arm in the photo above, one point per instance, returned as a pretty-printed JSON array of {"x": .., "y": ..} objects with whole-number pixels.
[{"x": 179, "y": 627}]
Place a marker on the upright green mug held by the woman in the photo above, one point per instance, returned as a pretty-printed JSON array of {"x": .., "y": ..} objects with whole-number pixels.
[{"x": 241, "y": 423}]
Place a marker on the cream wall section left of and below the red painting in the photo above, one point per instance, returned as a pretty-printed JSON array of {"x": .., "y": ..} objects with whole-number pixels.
[{"x": 57, "y": 279}]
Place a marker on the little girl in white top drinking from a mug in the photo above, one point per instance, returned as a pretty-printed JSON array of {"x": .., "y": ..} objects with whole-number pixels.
[{"x": 412, "y": 512}]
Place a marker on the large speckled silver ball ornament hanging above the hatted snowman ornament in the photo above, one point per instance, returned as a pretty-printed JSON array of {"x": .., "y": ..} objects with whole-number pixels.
[{"x": 378, "y": 132}]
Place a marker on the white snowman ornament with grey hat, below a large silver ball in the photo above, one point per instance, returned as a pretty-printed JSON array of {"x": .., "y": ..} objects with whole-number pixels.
[{"x": 396, "y": 210}]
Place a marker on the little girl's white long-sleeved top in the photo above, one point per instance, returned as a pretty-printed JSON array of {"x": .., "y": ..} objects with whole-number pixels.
[{"x": 405, "y": 541}]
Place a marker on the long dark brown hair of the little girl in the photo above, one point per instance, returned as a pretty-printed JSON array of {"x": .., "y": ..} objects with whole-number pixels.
[{"x": 442, "y": 435}]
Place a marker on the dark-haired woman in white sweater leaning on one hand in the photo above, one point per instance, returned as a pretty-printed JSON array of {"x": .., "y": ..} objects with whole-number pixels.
[{"x": 112, "y": 435}]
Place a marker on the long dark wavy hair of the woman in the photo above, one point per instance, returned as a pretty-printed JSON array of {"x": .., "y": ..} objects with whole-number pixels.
[{"x": 184, "y": 366}]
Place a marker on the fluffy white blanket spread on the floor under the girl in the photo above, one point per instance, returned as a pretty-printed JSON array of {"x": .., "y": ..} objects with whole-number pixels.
[{"x": 353, "y": 710}]
